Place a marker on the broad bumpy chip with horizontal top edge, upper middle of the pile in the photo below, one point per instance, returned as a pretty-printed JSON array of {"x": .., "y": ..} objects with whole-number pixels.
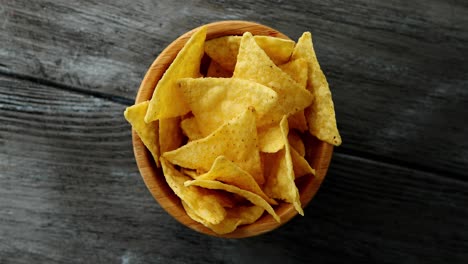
[{"x": 214, "y": 101}]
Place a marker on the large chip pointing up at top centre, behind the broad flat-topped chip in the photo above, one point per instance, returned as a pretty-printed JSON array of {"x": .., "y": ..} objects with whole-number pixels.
[{"x": 252, "y": 60}]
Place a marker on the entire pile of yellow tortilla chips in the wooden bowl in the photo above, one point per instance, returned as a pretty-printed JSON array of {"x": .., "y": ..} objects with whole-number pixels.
[{"x": 229, "y": 139}]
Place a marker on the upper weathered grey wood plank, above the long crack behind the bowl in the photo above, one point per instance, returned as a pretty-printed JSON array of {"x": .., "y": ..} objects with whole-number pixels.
[{"x": 398, "y": 70}]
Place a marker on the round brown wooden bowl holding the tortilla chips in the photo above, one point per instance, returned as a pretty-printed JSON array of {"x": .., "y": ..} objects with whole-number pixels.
[{"x": 318, "y": 153}]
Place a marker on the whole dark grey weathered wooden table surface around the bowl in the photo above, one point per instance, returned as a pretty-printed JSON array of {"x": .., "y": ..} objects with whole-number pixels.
[{"x": 396, "y": 191}]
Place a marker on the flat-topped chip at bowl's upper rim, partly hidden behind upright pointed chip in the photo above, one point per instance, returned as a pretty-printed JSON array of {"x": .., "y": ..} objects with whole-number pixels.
[{"x": 224, "y": 50}]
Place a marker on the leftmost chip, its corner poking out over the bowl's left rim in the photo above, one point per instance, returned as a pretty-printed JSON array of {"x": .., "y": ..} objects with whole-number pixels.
[{"x": 148, "y": 132}]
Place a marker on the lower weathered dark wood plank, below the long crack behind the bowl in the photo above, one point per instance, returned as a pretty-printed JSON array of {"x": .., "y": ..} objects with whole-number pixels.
[{"x": 71, "y": 193}]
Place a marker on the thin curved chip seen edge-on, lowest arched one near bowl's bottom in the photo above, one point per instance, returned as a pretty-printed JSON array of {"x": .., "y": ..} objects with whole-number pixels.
[{"x": 252, "y": 197}]
